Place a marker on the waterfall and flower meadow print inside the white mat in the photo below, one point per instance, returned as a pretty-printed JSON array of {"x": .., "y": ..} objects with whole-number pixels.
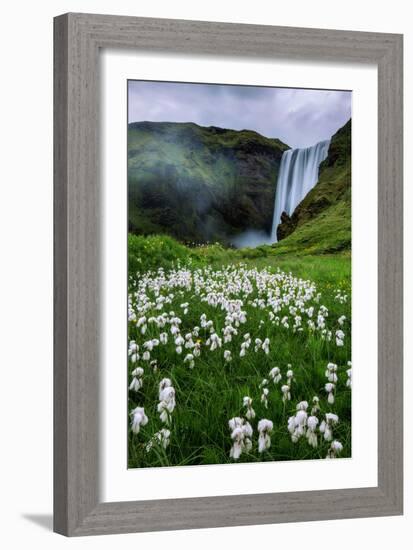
[{"x": 239, "y": 274}]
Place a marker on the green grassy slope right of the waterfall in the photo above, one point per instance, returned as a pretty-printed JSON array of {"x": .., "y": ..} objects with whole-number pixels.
[{"x": 332, "y": 194}]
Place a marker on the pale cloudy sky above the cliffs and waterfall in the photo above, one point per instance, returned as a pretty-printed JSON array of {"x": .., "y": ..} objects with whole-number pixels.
[{"x": 298, "y": 117}]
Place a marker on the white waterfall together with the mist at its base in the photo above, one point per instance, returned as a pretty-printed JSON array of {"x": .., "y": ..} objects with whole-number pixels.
[{"x": 297, "y": 176}]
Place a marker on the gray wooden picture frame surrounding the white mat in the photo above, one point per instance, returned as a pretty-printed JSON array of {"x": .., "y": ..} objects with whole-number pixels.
[{"x": 78, "y": 39}]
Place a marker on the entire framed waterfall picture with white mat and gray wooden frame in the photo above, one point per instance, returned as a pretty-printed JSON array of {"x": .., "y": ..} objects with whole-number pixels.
[{"x": 228, "y": 274}]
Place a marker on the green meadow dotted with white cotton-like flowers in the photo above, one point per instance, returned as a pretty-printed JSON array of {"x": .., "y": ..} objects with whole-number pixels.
[{"x": 236, "y": 355}]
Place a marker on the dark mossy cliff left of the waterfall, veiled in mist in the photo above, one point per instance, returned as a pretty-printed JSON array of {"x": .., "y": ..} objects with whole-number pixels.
[{"x": 200, "y": 184}]
